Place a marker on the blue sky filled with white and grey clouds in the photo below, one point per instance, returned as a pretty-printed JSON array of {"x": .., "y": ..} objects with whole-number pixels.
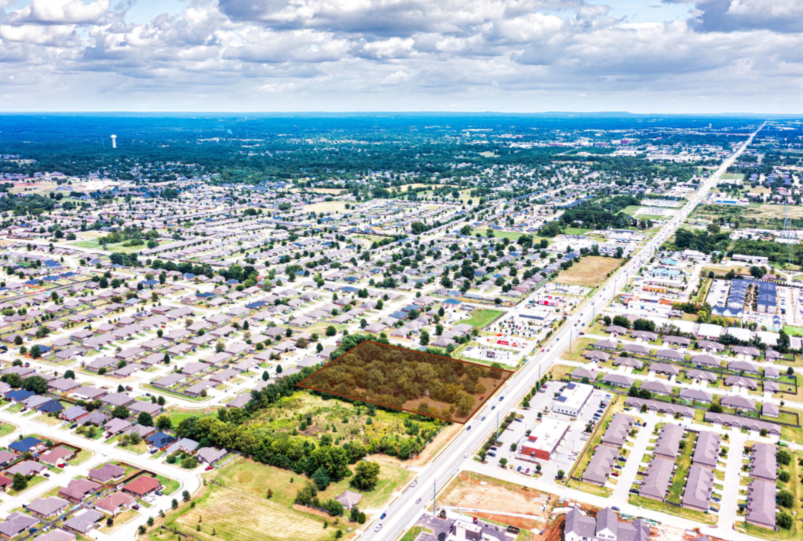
[{"x": 650, "y": 56}]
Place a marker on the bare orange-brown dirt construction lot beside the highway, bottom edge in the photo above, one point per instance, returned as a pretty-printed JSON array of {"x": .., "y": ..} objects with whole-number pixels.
[{"x": 466, "y": 491}]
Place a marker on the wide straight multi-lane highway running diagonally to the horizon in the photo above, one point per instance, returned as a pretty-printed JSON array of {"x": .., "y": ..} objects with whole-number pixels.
[{"x": 404, "y": 511}]
